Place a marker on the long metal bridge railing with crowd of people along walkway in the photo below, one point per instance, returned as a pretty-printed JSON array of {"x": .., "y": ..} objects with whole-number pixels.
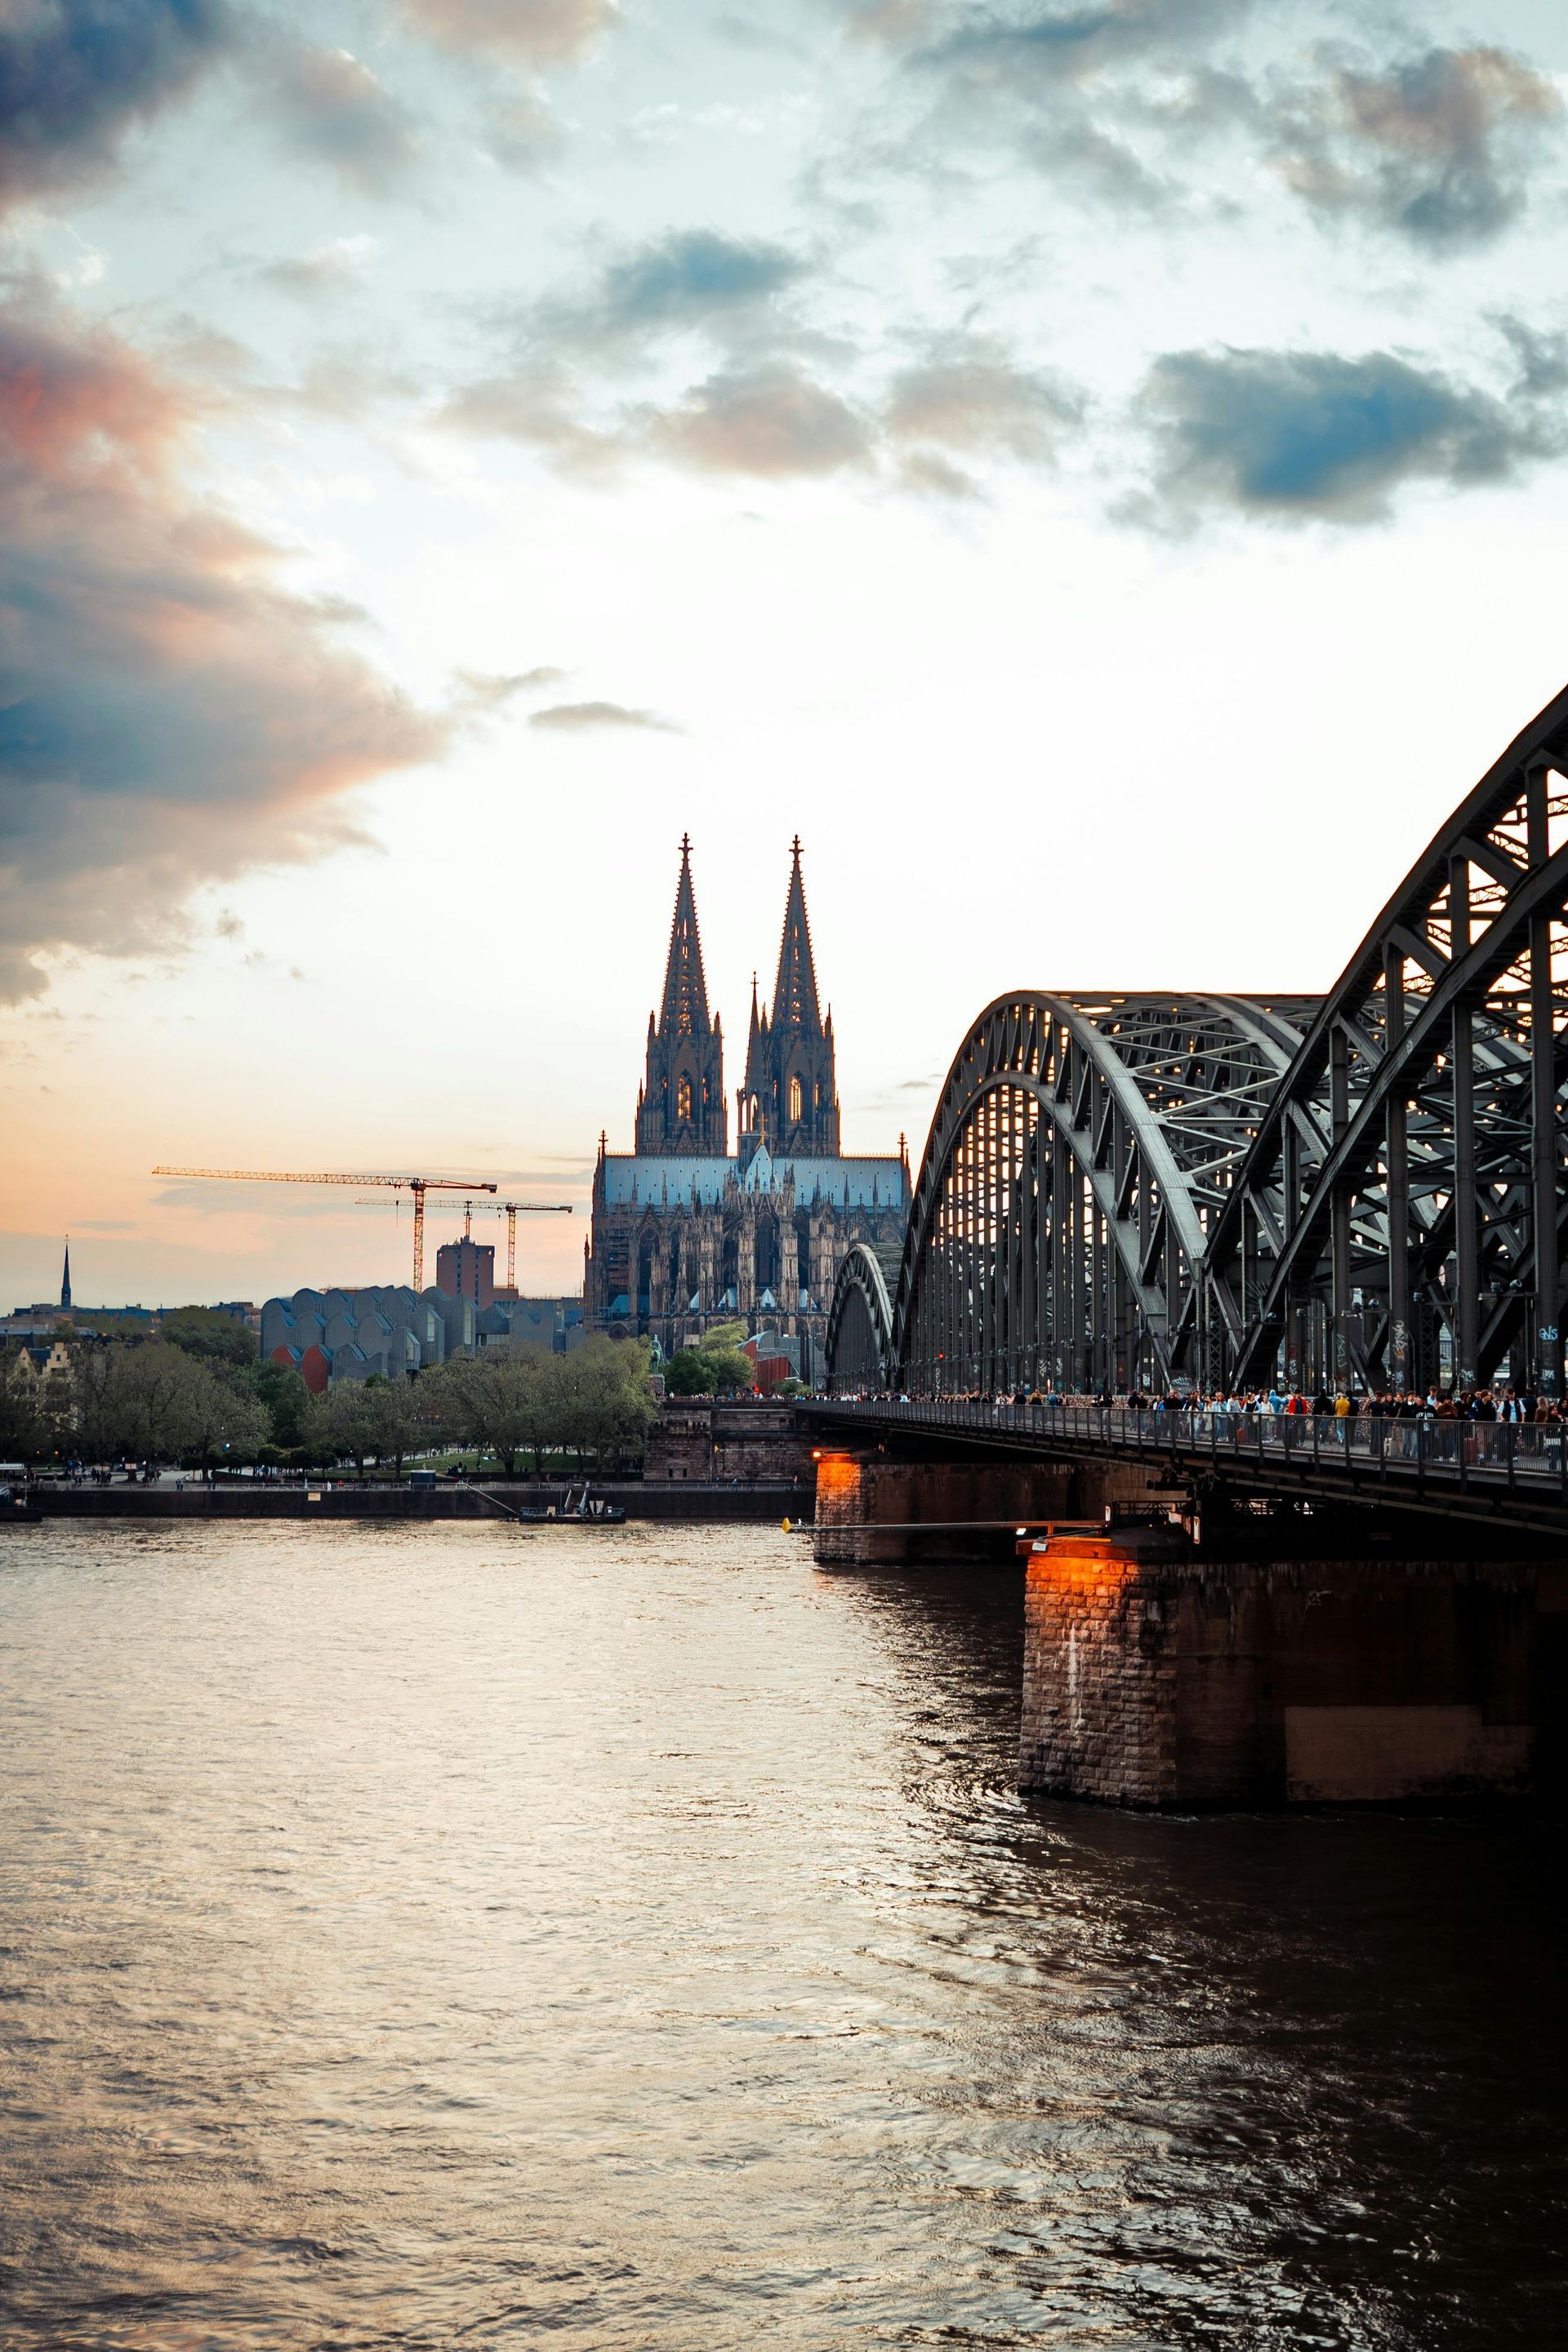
[{"x": 1513, "y": 1450}]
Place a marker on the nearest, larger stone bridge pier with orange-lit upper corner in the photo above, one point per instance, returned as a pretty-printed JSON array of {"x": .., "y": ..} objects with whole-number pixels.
[{"x": 1162, "y": 1673}]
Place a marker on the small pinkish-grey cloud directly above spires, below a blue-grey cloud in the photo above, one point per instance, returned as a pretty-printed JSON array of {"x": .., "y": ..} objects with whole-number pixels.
[{"x": 768, "y": 422}]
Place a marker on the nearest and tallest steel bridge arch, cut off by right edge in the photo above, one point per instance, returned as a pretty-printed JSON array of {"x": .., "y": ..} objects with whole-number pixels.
[{"x": 1398, "y": 1217}]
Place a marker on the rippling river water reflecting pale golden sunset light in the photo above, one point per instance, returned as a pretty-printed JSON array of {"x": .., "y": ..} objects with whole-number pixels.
[{"x": 474, "y": 1937}]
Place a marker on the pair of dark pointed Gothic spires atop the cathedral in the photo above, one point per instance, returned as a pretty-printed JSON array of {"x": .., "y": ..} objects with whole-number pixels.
[{"x": 791, "y": 1100}]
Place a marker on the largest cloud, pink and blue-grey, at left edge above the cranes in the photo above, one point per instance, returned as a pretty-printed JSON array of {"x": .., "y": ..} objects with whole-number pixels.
[{"x": 168, "y": 711}]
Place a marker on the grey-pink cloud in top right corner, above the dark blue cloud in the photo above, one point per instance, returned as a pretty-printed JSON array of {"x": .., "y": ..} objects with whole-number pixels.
[{"x": 1438, "y": 147}]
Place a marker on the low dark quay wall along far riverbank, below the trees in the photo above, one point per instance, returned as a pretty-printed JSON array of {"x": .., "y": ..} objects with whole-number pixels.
[{"x": 492, "y": 1499}]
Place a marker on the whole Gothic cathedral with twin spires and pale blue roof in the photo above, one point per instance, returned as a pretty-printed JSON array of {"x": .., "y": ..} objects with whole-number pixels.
[{"x": 688, "y": 1234}]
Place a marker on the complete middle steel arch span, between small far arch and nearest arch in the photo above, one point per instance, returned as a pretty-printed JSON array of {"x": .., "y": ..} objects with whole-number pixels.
[{"x": 1076, "y": 1163}]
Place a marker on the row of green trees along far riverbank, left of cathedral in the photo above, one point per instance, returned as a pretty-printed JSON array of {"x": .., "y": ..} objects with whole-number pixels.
[{"x": 201, "y": 1396}]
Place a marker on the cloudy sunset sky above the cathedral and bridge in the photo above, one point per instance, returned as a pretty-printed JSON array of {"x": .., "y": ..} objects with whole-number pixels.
[{"x": 1094, "y": 469}]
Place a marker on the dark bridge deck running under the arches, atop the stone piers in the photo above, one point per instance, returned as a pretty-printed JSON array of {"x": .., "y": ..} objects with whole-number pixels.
[{"x": 1503, "y": 1471}]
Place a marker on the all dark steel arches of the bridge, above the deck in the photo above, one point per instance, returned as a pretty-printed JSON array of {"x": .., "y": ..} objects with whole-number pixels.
[{"x": 1148, "y": 1191}]
